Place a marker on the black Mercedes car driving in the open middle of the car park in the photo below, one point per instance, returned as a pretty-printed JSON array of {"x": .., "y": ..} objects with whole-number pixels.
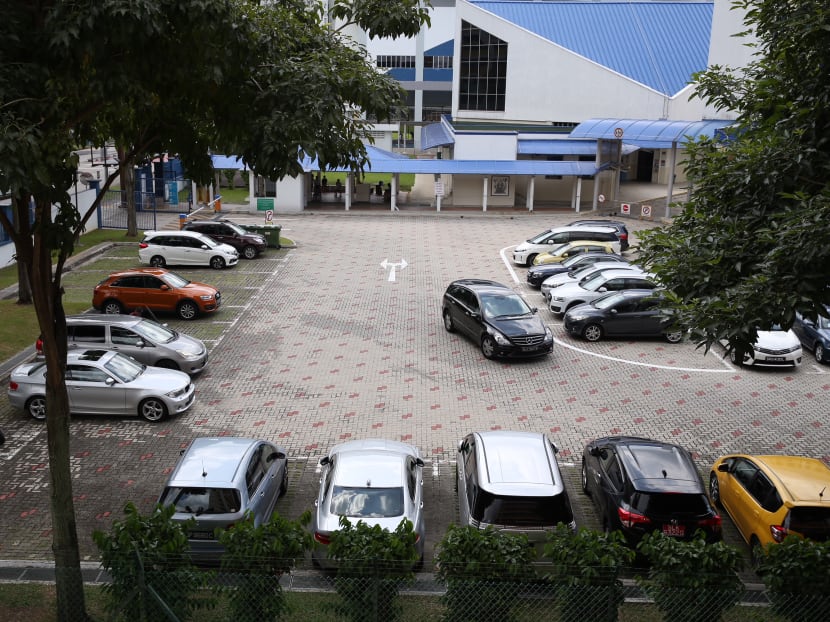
[{"x": 496, "y": 318}]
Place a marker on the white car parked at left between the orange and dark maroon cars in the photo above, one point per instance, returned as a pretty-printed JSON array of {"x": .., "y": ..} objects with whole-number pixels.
[{"x": 185, "y": 248}]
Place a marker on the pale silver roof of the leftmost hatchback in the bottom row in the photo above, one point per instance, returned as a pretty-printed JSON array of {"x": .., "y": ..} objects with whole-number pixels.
[{"x": 212, "y": 461}]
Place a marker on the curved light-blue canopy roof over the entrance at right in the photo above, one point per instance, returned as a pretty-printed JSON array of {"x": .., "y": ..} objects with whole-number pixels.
[{"x": 647, "y": 133}]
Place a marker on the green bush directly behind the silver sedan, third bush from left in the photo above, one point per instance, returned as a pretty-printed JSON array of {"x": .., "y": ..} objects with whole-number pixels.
[{"x": 372, "y": 565}]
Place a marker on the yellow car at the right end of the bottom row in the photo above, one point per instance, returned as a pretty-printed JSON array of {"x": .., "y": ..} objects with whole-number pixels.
[{"x": 771, "y": 497}]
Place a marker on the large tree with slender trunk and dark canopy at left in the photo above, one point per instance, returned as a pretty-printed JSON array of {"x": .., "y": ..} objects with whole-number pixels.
[{"x": 269, "y": 83}]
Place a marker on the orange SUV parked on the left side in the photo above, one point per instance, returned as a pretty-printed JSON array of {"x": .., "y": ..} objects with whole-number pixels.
[{"x": 155, "y": 289}]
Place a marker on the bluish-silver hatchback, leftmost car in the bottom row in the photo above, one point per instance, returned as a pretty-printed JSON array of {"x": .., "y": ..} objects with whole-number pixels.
[{"x": 217, "y": 481}]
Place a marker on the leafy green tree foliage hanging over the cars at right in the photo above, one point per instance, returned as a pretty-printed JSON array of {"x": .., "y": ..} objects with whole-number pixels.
[{"x": 752, "y": 246}]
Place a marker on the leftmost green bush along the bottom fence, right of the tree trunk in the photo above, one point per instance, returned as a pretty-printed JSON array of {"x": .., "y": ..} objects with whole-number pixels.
[{"x": 149, "y": 561}]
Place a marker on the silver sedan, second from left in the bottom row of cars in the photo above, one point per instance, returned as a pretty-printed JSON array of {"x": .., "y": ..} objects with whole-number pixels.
[{"x": 375, "y": 481}]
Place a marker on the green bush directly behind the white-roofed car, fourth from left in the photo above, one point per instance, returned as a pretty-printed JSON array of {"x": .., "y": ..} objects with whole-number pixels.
[{"x": 484, "y": 571}]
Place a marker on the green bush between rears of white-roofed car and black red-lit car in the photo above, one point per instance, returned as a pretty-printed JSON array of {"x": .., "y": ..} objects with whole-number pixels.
[{"x": 585, "y": 569}]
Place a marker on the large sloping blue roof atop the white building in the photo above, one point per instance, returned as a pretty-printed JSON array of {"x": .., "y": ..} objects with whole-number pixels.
[{"x": 658, "y": 44}]
